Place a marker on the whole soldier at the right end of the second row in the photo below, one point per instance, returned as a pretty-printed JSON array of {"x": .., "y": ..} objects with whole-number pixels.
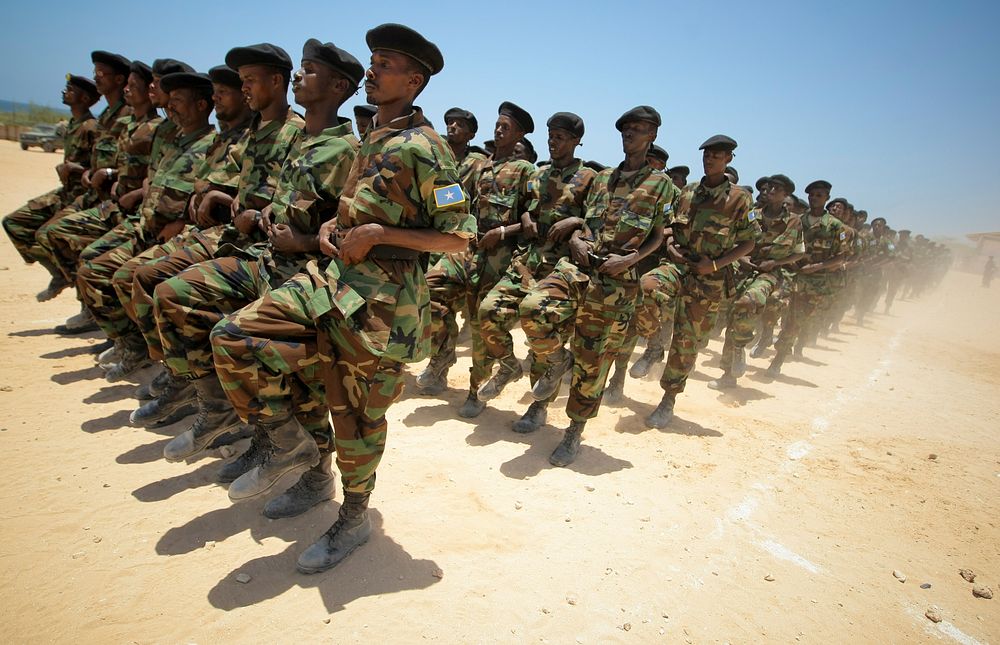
[{"x": 598, "y": 285}]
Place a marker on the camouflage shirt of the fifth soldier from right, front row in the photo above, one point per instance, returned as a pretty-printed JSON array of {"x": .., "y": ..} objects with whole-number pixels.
[{"x": 172, "y": 185}]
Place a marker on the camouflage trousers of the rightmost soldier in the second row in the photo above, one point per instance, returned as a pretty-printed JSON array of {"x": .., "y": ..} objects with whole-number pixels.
[{"x": 599, "y": 309}]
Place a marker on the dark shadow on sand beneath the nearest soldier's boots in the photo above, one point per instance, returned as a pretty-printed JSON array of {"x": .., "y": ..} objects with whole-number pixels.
[{"x": 379, "y": 567}]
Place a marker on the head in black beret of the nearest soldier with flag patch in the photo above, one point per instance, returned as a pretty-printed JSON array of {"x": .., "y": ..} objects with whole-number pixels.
[{"x": 402, "y": 63}]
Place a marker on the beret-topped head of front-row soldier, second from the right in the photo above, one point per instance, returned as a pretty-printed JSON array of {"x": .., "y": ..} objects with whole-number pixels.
[{"x": 327, "y": 74}]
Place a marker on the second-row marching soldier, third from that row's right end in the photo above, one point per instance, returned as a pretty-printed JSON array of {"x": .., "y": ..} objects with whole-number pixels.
[{"x": 500, "y": 199}]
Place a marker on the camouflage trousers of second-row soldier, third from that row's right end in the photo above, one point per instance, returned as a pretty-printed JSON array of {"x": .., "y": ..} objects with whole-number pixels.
[{"x": 456, "y": 282}]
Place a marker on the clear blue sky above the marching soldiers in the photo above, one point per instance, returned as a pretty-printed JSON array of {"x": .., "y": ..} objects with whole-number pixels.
[{"x": 890, "y": 101}]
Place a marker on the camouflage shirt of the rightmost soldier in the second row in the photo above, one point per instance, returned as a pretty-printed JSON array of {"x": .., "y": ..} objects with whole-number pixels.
[{"x": 623, "y": 208}]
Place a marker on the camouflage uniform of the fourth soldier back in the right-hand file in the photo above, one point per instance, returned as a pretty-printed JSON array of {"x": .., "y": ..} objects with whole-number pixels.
[{"x": 825, "y": 238}]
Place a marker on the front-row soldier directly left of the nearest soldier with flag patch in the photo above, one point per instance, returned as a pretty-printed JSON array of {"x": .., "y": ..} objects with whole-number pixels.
[{"x": 307, "y": 192}]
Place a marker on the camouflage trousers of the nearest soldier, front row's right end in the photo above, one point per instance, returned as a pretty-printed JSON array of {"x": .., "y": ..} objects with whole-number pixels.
[{"x": 273, "y": 354}]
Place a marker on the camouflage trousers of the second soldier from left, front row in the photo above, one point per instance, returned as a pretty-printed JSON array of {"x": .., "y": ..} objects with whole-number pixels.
[{"x": 64, "y": 238}]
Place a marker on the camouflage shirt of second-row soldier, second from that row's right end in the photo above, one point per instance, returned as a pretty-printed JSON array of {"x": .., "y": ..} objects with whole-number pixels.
[{"x": 555, "y": 194}]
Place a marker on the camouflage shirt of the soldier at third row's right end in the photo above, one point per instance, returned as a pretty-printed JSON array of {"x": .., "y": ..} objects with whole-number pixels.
[{"x": 711, "y": 221}]
